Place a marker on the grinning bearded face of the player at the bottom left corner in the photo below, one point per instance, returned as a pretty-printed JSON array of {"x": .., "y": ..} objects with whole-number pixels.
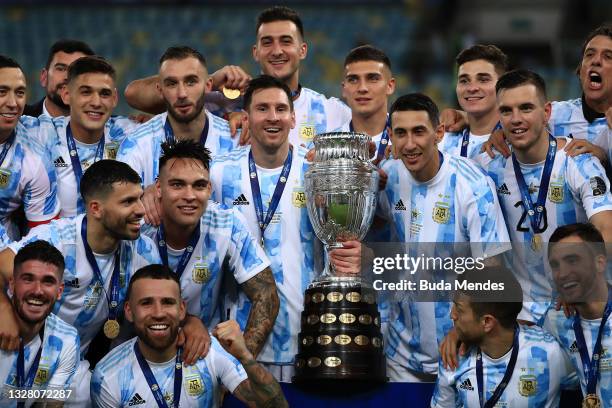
[{"x": 36, "y": 286}]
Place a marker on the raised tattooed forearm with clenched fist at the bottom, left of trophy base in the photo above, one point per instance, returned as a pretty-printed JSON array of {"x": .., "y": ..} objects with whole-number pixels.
[{"x": 260, "y": 389}]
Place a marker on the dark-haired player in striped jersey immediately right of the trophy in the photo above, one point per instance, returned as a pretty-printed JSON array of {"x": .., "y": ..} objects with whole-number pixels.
[{"x": 431, "y": 197}]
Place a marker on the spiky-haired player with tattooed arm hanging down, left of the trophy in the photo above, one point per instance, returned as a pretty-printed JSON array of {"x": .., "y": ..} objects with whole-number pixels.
[{"x": 197, "y": 237}]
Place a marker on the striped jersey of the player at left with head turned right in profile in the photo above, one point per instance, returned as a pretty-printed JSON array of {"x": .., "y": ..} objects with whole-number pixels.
[{"x": 83, "y": 303}]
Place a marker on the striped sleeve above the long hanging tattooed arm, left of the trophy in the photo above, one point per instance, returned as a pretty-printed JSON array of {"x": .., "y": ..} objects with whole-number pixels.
[{"x": 247, "y": 257}]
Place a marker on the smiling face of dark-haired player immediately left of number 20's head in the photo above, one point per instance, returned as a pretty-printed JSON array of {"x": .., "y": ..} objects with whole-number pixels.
[{"x": 476, "y": 87}]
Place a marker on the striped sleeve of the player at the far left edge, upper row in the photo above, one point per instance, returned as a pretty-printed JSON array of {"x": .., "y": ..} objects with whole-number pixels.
[{"x": 40, "y": 191}]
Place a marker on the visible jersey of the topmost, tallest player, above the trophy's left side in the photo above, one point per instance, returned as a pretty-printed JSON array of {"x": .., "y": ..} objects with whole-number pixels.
[{"x": 314, "y": 114}]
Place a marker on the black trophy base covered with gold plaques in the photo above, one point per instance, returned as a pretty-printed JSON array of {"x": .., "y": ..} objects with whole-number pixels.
[{"x": 340, "y": 336}]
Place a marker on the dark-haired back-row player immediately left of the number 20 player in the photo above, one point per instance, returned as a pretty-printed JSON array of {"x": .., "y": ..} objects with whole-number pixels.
[{"x": 478, "y": 69}]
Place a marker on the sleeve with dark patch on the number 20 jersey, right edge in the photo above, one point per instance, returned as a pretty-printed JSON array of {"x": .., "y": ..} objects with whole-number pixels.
[{"x": 589, "y": 184}]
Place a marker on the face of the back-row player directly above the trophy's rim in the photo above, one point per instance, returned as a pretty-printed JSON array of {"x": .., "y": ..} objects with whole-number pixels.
[{"x": 366, "y": 87}]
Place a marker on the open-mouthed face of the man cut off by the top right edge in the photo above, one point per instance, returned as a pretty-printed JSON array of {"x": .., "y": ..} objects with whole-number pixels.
[{"x": 596, "y": 73}]
